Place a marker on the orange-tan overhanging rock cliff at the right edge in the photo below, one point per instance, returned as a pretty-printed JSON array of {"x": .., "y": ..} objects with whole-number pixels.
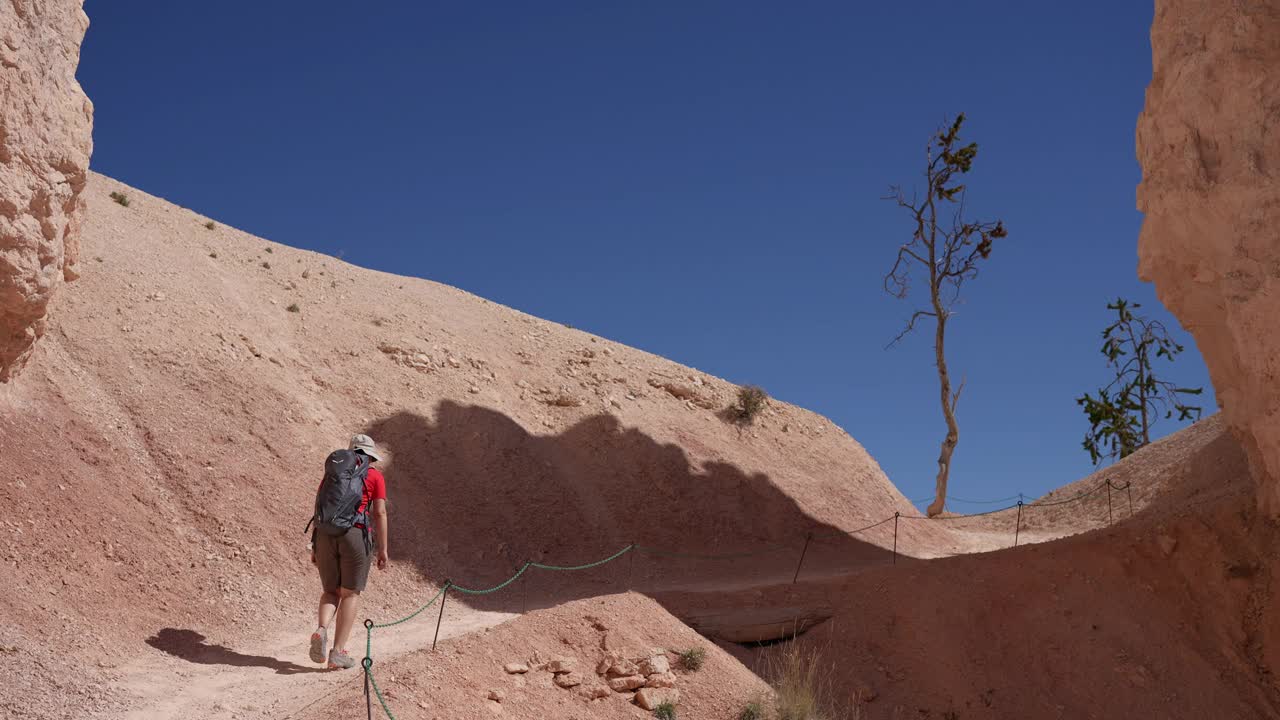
[{"x": 1209, "y": 142}]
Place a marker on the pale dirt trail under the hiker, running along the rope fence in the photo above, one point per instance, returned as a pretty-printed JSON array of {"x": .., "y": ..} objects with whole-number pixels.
[{"x": 198, "y": 678}]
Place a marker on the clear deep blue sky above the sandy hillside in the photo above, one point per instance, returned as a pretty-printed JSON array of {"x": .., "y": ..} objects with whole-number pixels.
[{"x": 700, "y": 180}]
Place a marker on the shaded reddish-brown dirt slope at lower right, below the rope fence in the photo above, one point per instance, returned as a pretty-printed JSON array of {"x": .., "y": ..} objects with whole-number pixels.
[{"x": 1164, "y": 616}]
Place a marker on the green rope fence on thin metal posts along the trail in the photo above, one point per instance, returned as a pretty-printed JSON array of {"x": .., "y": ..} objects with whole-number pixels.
[{"x": 374, "y": 692}]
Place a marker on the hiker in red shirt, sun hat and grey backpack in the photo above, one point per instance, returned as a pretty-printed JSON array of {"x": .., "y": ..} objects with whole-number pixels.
[{"x": 351, "y": 494}]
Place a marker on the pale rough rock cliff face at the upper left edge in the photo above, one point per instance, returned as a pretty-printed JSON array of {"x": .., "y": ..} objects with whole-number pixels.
[{"x": 45, "y": 144}]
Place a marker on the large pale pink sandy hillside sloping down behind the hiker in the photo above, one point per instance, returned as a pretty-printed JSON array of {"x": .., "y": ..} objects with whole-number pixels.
[{"x": 172, "y": 425}]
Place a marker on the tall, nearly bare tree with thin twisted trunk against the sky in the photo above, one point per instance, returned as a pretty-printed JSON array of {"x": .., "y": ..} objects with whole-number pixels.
[{"x": 947, "y": 249}]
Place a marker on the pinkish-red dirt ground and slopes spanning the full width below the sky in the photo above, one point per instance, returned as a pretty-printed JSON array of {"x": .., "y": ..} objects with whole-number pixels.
[{"x": 171, "y": 426}]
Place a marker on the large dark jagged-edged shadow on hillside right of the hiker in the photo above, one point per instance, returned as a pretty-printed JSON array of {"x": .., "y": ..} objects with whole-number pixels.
[{"x": 474, "y": 496}]
